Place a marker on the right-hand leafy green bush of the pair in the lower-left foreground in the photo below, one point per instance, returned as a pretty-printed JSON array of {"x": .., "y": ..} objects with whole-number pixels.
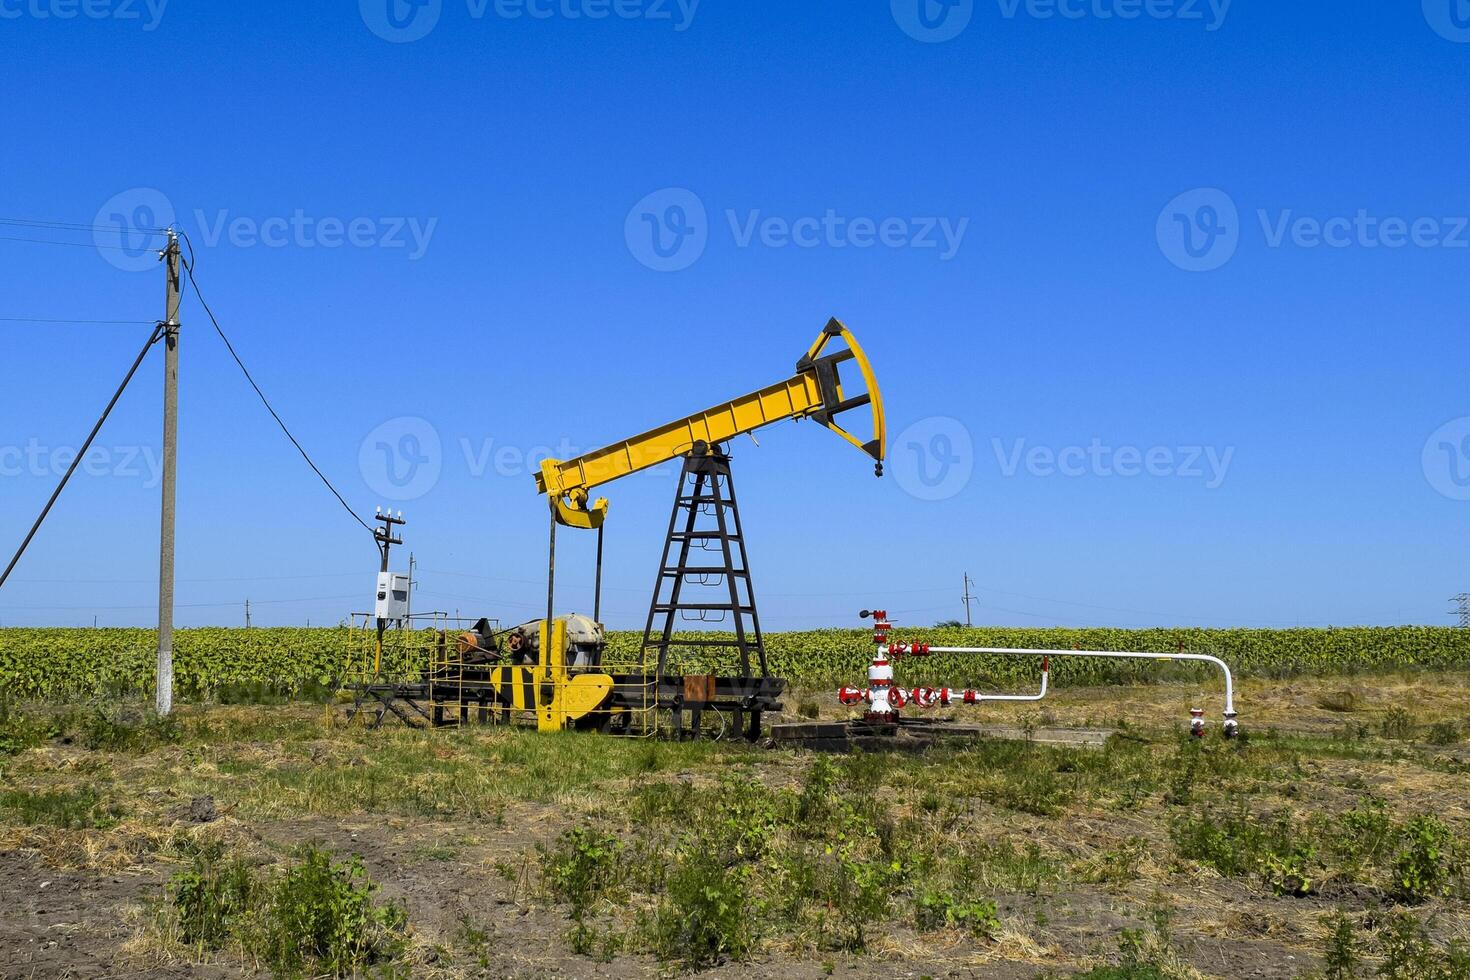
[{"x": 323, "y": 916}]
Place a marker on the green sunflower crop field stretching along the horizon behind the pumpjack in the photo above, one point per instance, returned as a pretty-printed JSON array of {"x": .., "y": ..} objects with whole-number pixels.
[{"x": 264, "y": 663}]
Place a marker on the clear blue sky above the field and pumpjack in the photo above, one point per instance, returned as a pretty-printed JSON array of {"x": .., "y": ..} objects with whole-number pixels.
[{"x": 1168, "y": 305}]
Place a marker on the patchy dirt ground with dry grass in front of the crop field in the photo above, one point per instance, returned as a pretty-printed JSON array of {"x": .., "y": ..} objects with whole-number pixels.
[{"x": 1078, "y": 849}]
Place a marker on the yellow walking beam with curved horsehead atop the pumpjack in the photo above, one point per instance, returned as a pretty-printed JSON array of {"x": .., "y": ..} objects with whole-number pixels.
[{"x": 800, "y": 397}]
